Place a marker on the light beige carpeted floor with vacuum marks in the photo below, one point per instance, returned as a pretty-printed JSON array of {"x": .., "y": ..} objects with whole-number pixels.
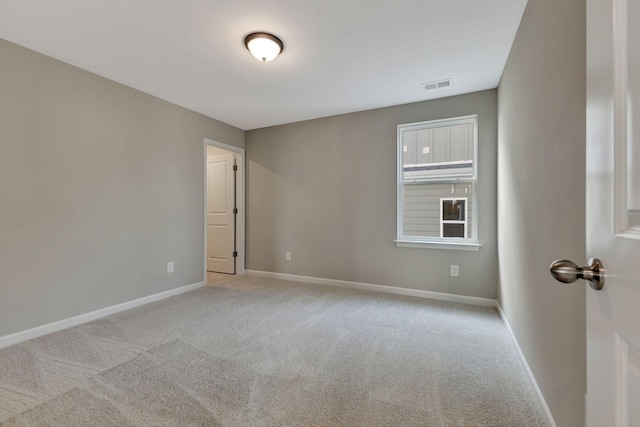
[{"x": 259, "y": 352}]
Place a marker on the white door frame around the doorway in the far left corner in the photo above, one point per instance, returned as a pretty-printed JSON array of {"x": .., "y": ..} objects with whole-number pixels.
[{"x": 240, "y": 191}]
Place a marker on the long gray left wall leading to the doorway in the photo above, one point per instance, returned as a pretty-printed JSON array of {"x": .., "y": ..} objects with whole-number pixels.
[{"x": 100, "y": 187}]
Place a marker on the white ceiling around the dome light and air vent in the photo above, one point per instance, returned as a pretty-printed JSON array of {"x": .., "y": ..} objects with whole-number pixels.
[{"x": 340, "y": 55}]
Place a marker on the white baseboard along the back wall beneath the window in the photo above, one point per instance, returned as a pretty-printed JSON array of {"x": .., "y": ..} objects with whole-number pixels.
[{"x": 484, "y": 302}]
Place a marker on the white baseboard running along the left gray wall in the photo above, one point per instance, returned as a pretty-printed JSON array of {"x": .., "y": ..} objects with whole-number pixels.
[{"x": 39, "y": 331}]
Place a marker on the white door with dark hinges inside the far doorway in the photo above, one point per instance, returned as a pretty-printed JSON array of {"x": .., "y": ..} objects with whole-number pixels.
[{"x": 220, "y": 216}]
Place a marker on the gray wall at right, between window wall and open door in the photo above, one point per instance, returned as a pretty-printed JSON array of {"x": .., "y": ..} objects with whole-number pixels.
[{"x": 541, "y": 207}]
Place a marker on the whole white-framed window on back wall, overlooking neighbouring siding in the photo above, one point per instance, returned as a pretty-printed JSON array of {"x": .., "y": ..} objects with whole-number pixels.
[{"x": 437, "y": 177}]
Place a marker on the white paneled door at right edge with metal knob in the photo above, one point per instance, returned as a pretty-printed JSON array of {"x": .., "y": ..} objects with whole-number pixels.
[{"x": 613, "y": 208}]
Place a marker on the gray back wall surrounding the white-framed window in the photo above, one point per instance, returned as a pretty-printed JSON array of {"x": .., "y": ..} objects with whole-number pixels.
[{"x": 326, "y": 191}]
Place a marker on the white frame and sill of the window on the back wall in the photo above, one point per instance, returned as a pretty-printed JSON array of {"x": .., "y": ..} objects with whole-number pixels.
[{"x": 466, "y": 243}]
